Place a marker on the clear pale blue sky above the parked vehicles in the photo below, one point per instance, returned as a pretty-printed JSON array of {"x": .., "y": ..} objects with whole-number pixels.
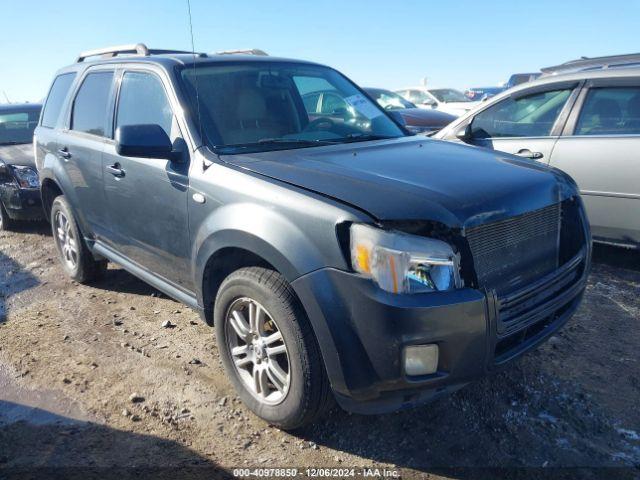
[{"x": 458, "y": 43}]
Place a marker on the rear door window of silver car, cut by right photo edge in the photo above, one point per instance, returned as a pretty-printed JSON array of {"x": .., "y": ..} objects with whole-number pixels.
[{"x": 610, "y": 111}]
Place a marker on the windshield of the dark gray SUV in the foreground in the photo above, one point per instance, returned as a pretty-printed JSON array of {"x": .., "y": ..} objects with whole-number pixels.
[{"x": 269, "y": 106}]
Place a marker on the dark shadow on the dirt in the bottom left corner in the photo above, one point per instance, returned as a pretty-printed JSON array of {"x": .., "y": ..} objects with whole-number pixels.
[{"x": 35, "y": 443}]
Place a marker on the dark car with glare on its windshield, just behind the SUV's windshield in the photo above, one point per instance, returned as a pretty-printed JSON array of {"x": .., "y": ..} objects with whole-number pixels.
[{"x": 417, "y": 120}]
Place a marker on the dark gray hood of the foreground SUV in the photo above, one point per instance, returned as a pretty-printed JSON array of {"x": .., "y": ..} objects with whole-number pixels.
[{"x": 409, "y": 179}]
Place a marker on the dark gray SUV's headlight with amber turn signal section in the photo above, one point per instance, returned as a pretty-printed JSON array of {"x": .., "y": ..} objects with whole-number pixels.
[{"x": 402, "y": 263}]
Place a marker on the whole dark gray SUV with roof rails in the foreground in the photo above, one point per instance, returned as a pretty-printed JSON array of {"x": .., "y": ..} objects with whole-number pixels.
[{"x": 336, "y": 258}]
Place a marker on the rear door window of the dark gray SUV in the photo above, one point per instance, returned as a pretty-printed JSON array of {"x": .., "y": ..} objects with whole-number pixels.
[{"x": 90, "y": 107}]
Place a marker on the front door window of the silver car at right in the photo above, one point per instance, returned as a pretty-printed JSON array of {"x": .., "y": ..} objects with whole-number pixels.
[{"x": 530, "y": 116}]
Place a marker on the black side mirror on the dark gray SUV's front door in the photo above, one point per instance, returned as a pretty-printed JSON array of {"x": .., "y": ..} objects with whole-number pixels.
[{"x": 144, "y": 141}]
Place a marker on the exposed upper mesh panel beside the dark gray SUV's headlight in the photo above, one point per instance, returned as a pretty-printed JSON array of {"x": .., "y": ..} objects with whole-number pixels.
[{"x": 513, "y": 252}]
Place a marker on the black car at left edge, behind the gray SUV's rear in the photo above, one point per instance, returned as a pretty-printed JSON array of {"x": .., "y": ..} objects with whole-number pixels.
[{"x": 19, "y": 185}]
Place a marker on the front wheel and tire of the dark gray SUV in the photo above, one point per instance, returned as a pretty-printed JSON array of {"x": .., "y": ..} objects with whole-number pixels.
[{"x": 307, "y": 395}]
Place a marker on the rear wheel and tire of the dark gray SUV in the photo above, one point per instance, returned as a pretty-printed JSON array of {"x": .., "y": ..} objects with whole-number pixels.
[{"x": 75, "y": 257}]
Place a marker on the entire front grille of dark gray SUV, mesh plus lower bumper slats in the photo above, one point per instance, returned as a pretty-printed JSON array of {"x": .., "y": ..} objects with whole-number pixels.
[{"x": 533, "y": 268}]
